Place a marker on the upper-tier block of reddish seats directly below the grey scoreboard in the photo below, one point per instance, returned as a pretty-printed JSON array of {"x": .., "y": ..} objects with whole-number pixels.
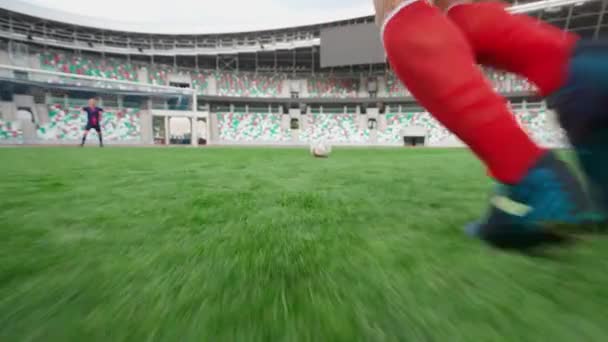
[{"x": 326, "y": 86}]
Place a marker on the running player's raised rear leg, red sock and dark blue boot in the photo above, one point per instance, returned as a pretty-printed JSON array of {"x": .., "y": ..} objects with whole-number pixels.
[{"x": 572, "y": 71}]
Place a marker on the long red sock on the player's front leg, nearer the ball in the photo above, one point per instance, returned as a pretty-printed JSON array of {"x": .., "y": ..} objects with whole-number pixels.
[{"x": 433, "y": 59}]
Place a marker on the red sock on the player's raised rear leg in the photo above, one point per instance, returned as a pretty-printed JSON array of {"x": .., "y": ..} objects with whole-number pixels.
[{"x": 516, "y": 43}]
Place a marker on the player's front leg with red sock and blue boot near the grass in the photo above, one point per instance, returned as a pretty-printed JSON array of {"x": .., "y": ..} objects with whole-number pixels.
[{"x": 433, "y": 59}]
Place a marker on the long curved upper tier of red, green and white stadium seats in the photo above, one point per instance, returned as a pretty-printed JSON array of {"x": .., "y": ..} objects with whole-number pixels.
[{"x": 224, "y": 83}]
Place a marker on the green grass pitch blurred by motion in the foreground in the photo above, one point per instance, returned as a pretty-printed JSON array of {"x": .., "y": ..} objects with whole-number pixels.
[{"x": 273, "y": 245}]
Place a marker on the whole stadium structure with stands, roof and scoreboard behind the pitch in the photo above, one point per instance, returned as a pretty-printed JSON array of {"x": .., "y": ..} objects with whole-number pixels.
[{"x": 288, "y": 86}]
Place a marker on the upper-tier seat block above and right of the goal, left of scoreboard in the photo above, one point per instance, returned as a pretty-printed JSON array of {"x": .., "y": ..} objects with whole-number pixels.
[{"x": 245, "y": 84}]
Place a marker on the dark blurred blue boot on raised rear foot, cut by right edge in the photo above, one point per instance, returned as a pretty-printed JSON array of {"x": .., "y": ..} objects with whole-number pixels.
[{"x": 582, "y": 109}]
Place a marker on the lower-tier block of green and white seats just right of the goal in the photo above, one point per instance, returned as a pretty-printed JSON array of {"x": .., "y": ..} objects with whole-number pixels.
[{"x": 251, "y": 127}]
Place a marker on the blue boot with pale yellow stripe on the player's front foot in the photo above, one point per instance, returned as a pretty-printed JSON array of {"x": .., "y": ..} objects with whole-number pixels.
[{"x": 527, "y": 215}]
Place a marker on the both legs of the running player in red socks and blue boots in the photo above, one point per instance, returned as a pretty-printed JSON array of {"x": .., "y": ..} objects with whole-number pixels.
[{"x": 435, "y": 55}]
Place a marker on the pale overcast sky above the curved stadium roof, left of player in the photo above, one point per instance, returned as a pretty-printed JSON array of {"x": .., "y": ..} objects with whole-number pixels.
[{"x": 197, "y": 16}]
